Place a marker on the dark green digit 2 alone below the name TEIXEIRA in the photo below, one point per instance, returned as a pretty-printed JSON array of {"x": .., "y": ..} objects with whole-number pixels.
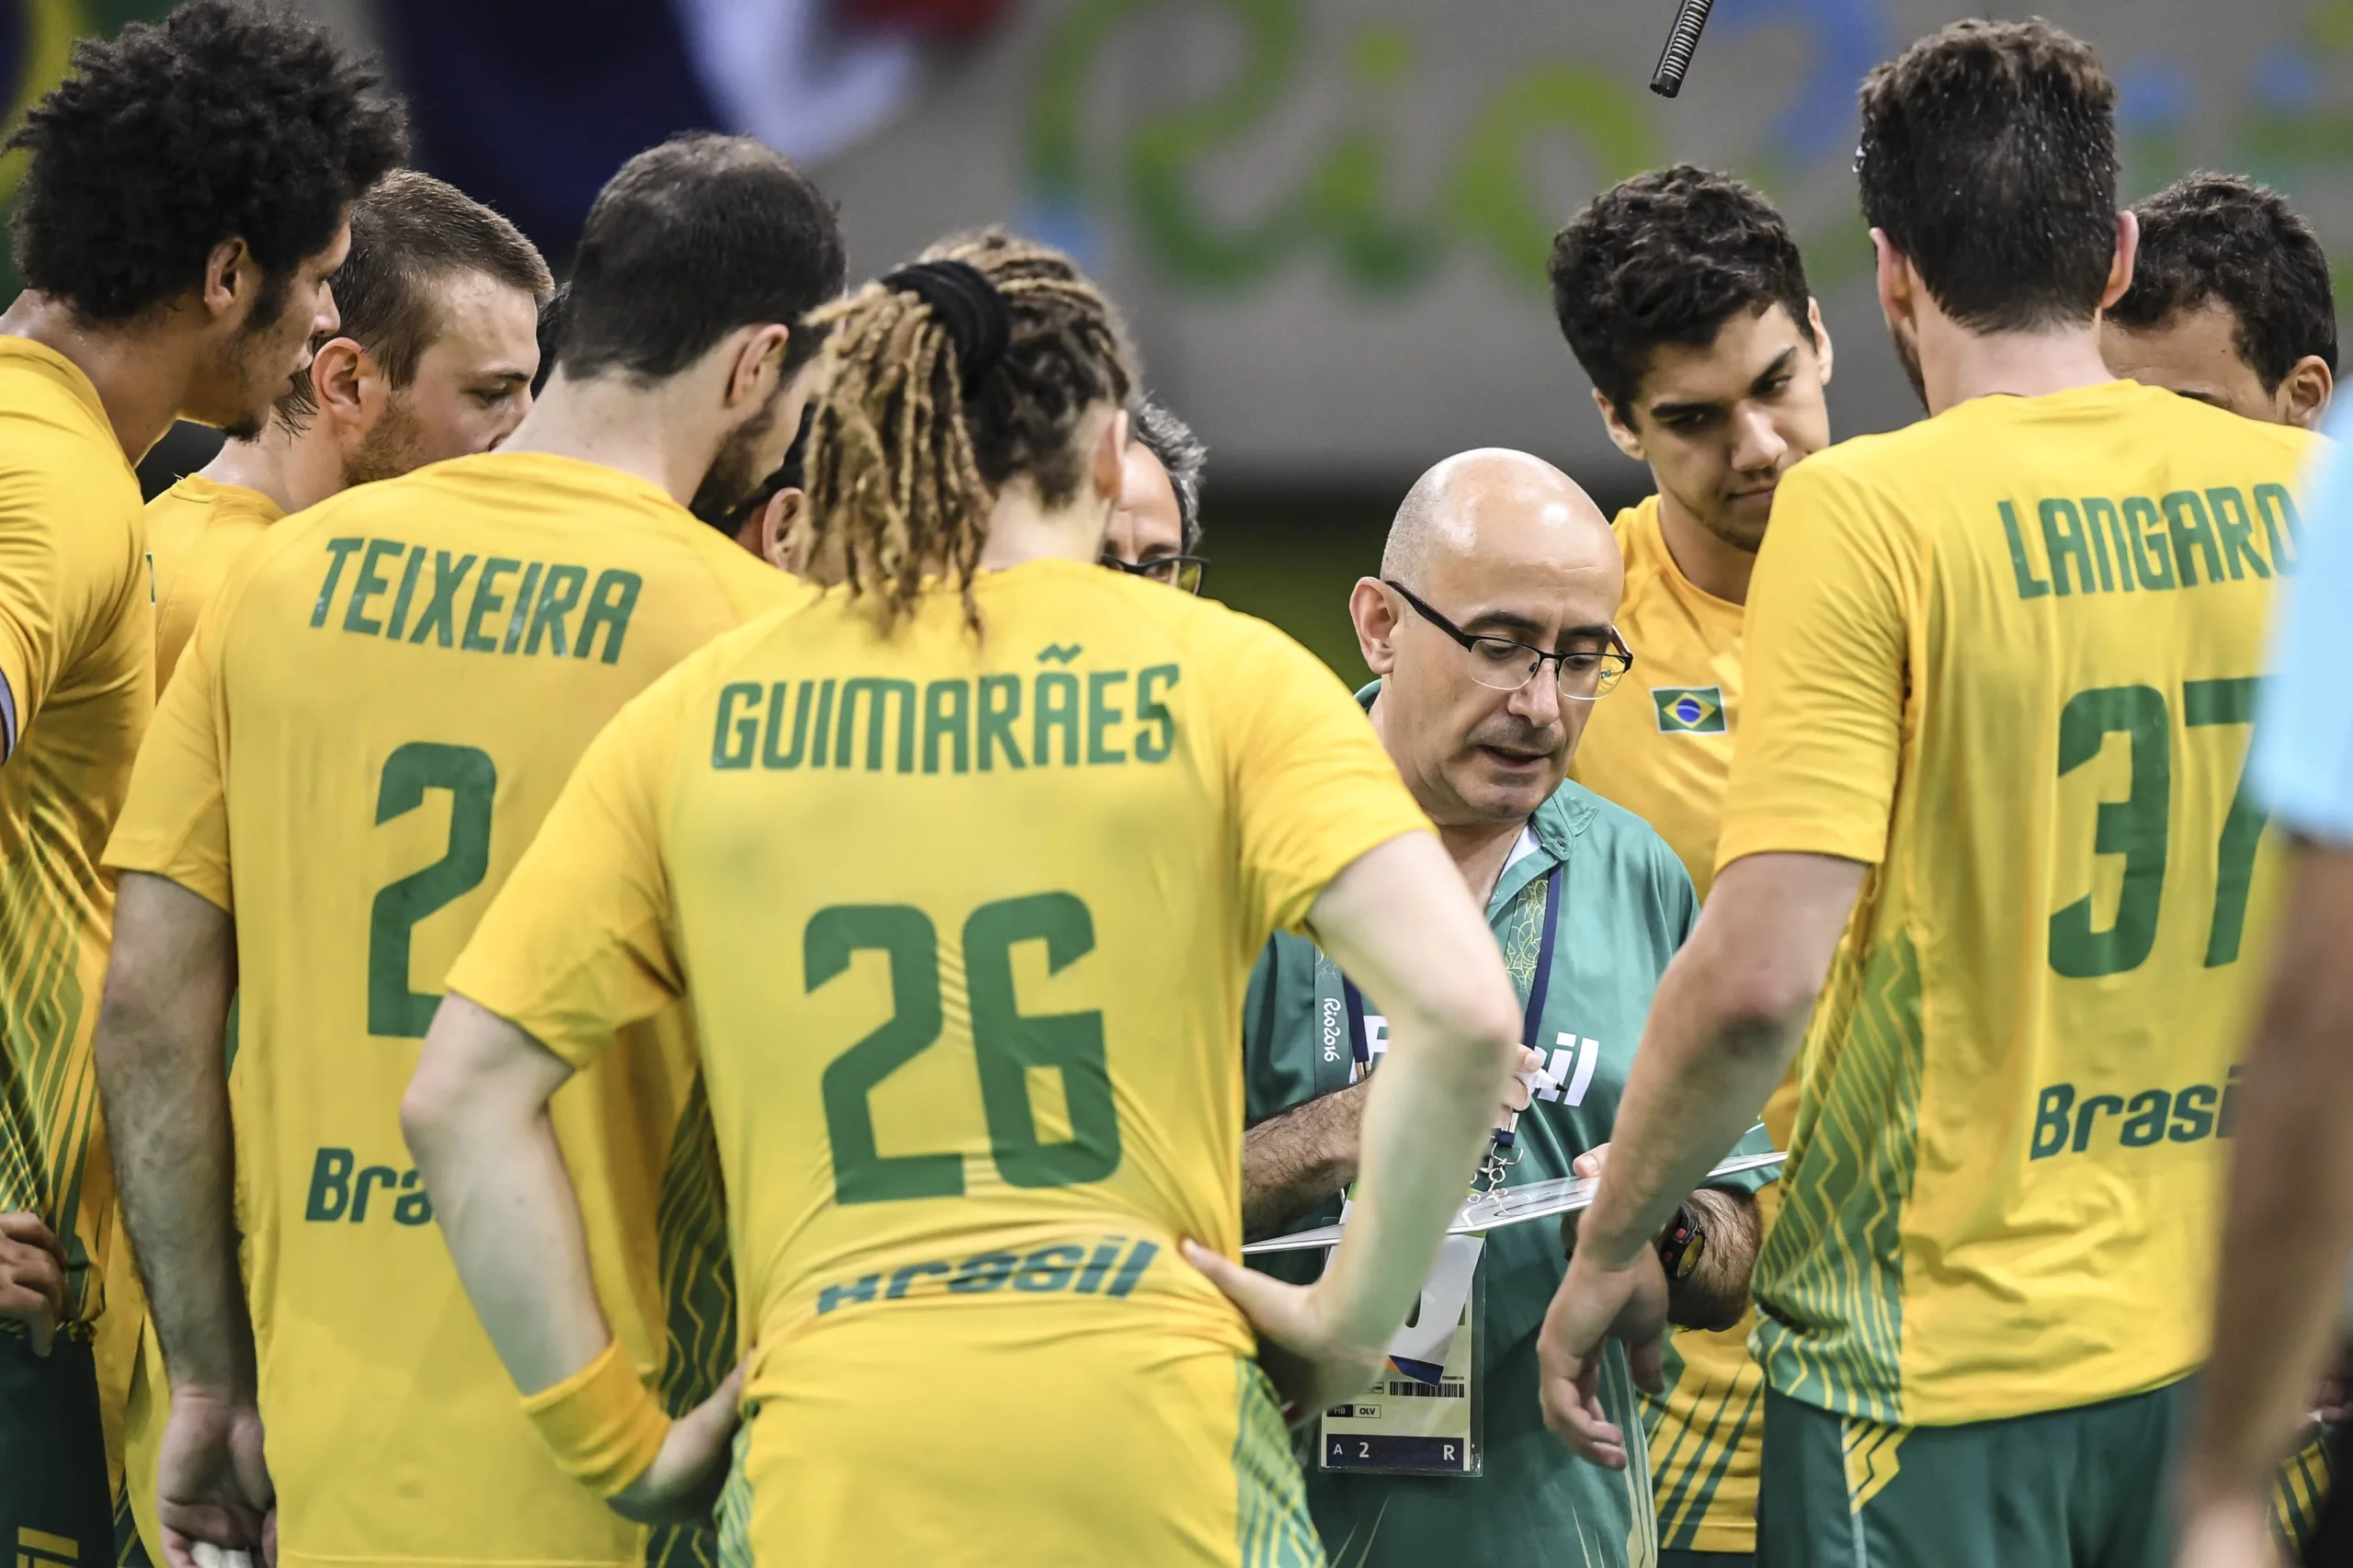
[{"x": 472, "y": 780}]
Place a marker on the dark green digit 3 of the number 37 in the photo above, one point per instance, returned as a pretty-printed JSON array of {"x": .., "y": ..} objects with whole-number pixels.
[{"x": 2131, "y": 828}]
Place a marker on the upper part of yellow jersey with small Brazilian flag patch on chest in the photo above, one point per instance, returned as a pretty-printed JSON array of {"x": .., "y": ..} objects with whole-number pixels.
[{"x": 1662, "y": 743}]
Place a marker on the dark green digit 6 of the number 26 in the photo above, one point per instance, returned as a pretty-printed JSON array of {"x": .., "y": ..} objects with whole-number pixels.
[{"x": 1011, "y": 1044}]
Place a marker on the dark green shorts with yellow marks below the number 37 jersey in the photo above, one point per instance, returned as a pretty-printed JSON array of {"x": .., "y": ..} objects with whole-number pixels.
[{"x": 2065, "y": 1489}]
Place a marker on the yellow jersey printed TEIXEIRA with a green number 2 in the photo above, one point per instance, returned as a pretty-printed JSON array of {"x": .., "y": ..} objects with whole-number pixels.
[{"x": 382, "y": 703}]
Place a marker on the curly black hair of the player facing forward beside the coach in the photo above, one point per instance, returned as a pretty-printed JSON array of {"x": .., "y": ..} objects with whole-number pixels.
[{"x": 1669, "y": 258}]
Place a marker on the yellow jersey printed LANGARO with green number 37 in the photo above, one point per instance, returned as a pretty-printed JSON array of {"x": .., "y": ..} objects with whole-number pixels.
[{"x": 2008, "y": 658}]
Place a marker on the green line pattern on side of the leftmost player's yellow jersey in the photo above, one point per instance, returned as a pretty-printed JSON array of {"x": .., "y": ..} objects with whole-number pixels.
[{"x": 48, "y": 1101}]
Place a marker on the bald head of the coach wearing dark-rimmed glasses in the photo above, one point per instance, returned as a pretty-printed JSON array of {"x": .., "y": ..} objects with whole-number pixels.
[{"x": 1495, "y": 566}]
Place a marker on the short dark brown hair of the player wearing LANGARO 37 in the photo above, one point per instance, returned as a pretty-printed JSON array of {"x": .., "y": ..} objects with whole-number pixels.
[{"x": 1989, "y": 161}]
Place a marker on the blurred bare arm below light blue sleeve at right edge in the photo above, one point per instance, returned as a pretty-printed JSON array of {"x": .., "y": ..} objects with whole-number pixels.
[{"x": 2291, "y": 1216}]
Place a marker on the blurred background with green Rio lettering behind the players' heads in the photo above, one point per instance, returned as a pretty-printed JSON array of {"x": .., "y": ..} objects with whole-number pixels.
[{"x": 1328, "y": 220}]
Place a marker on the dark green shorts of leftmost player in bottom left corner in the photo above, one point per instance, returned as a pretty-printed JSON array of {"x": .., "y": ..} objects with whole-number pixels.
[{"x": 55, "y": 1510}]
